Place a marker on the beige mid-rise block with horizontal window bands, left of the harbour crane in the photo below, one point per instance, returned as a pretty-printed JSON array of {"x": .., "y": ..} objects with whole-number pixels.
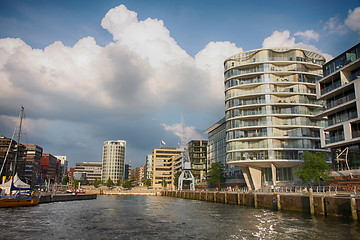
[{"x": 162, "y": 166}]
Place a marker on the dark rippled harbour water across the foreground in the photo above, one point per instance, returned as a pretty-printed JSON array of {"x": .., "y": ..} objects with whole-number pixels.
[{"x": 151, "y": 217}]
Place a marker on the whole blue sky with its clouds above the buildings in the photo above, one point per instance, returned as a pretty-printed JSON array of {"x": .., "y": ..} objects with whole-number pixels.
[{"x": 92, "y": 71}]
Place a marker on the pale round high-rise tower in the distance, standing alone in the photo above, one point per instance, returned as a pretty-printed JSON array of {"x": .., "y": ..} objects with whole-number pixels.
[{"x": 113, "y": 160}]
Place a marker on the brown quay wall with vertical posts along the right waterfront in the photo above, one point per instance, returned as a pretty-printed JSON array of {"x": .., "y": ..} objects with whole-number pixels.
[{"x": 347, "y": 206}]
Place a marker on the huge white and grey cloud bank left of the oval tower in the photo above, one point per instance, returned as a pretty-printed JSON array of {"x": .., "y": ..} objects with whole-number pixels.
[{"x": 73, "y": 94}]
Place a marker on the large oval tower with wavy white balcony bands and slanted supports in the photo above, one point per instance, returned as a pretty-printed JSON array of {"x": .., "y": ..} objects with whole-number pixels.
[{"x": 270, "y": 98}]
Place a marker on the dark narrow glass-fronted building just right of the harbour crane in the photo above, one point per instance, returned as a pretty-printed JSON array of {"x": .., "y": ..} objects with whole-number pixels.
[{"x": 197, "y": 154}]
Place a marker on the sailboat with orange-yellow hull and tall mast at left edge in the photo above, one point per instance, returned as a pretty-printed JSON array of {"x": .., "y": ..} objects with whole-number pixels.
[{"x": 16, "y": 193}]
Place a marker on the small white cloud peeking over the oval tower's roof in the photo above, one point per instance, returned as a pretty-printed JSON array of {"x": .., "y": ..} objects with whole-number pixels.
[{"x": 283, "y": 39}]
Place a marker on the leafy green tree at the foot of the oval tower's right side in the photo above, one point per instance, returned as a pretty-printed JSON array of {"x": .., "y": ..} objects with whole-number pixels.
[{"x": 315, "y": 168}]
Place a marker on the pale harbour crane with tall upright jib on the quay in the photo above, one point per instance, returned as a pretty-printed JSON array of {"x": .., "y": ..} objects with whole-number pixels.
[{"x": 186, "y": 174}]
